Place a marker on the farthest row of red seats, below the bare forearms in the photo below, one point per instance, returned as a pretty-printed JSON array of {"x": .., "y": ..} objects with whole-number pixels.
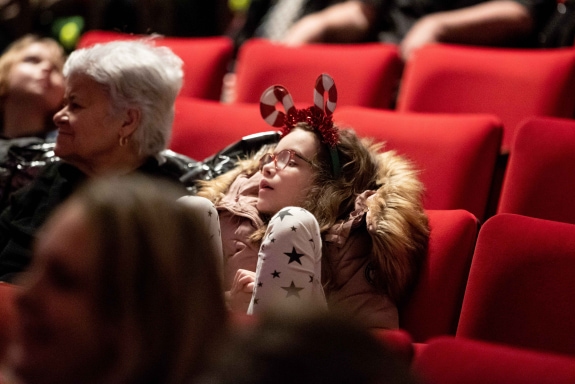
[{"x": 512, "y": 84}]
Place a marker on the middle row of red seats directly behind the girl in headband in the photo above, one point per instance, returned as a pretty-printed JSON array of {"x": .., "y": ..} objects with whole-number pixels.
[{"x": 458, "y": 154}]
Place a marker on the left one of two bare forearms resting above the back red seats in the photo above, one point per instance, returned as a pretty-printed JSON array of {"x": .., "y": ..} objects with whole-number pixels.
[{"x": 346, "y": 22}]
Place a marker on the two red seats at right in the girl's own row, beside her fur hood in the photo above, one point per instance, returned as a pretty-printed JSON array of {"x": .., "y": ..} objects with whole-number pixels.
[{"x": 509, "y": 282}]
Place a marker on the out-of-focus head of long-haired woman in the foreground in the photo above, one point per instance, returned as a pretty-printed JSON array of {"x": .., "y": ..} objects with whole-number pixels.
[{"x": 124, "y": 287}]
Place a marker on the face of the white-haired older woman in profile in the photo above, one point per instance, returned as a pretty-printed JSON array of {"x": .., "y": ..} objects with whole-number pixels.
[{"x": 88, "y": 130}]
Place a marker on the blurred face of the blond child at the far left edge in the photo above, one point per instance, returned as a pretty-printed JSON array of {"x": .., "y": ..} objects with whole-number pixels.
[{"x": 37, "y": 74}]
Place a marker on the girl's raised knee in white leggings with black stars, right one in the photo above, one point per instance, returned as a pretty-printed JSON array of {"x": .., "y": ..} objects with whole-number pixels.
[{"x": 288, "y": 273}]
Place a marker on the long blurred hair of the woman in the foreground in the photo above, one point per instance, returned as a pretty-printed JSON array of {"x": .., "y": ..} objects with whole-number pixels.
[{"x": 158, "y": 277}]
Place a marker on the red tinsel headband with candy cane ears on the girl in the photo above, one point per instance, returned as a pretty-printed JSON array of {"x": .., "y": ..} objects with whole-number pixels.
[{"x": 318, "y": 116}]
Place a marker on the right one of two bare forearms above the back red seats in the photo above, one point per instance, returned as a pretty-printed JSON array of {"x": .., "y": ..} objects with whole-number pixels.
[{"x": 496, "y": 22}]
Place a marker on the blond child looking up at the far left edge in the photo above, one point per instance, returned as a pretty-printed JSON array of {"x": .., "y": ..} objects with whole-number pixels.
[{"x": 31, "y": 90}]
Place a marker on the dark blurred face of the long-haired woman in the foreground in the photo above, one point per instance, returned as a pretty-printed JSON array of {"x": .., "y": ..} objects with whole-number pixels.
[{"x": 61, "y": 337}]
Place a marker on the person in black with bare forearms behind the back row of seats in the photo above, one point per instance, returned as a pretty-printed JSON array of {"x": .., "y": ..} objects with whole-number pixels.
[{"x": 413, "y": 24}]
